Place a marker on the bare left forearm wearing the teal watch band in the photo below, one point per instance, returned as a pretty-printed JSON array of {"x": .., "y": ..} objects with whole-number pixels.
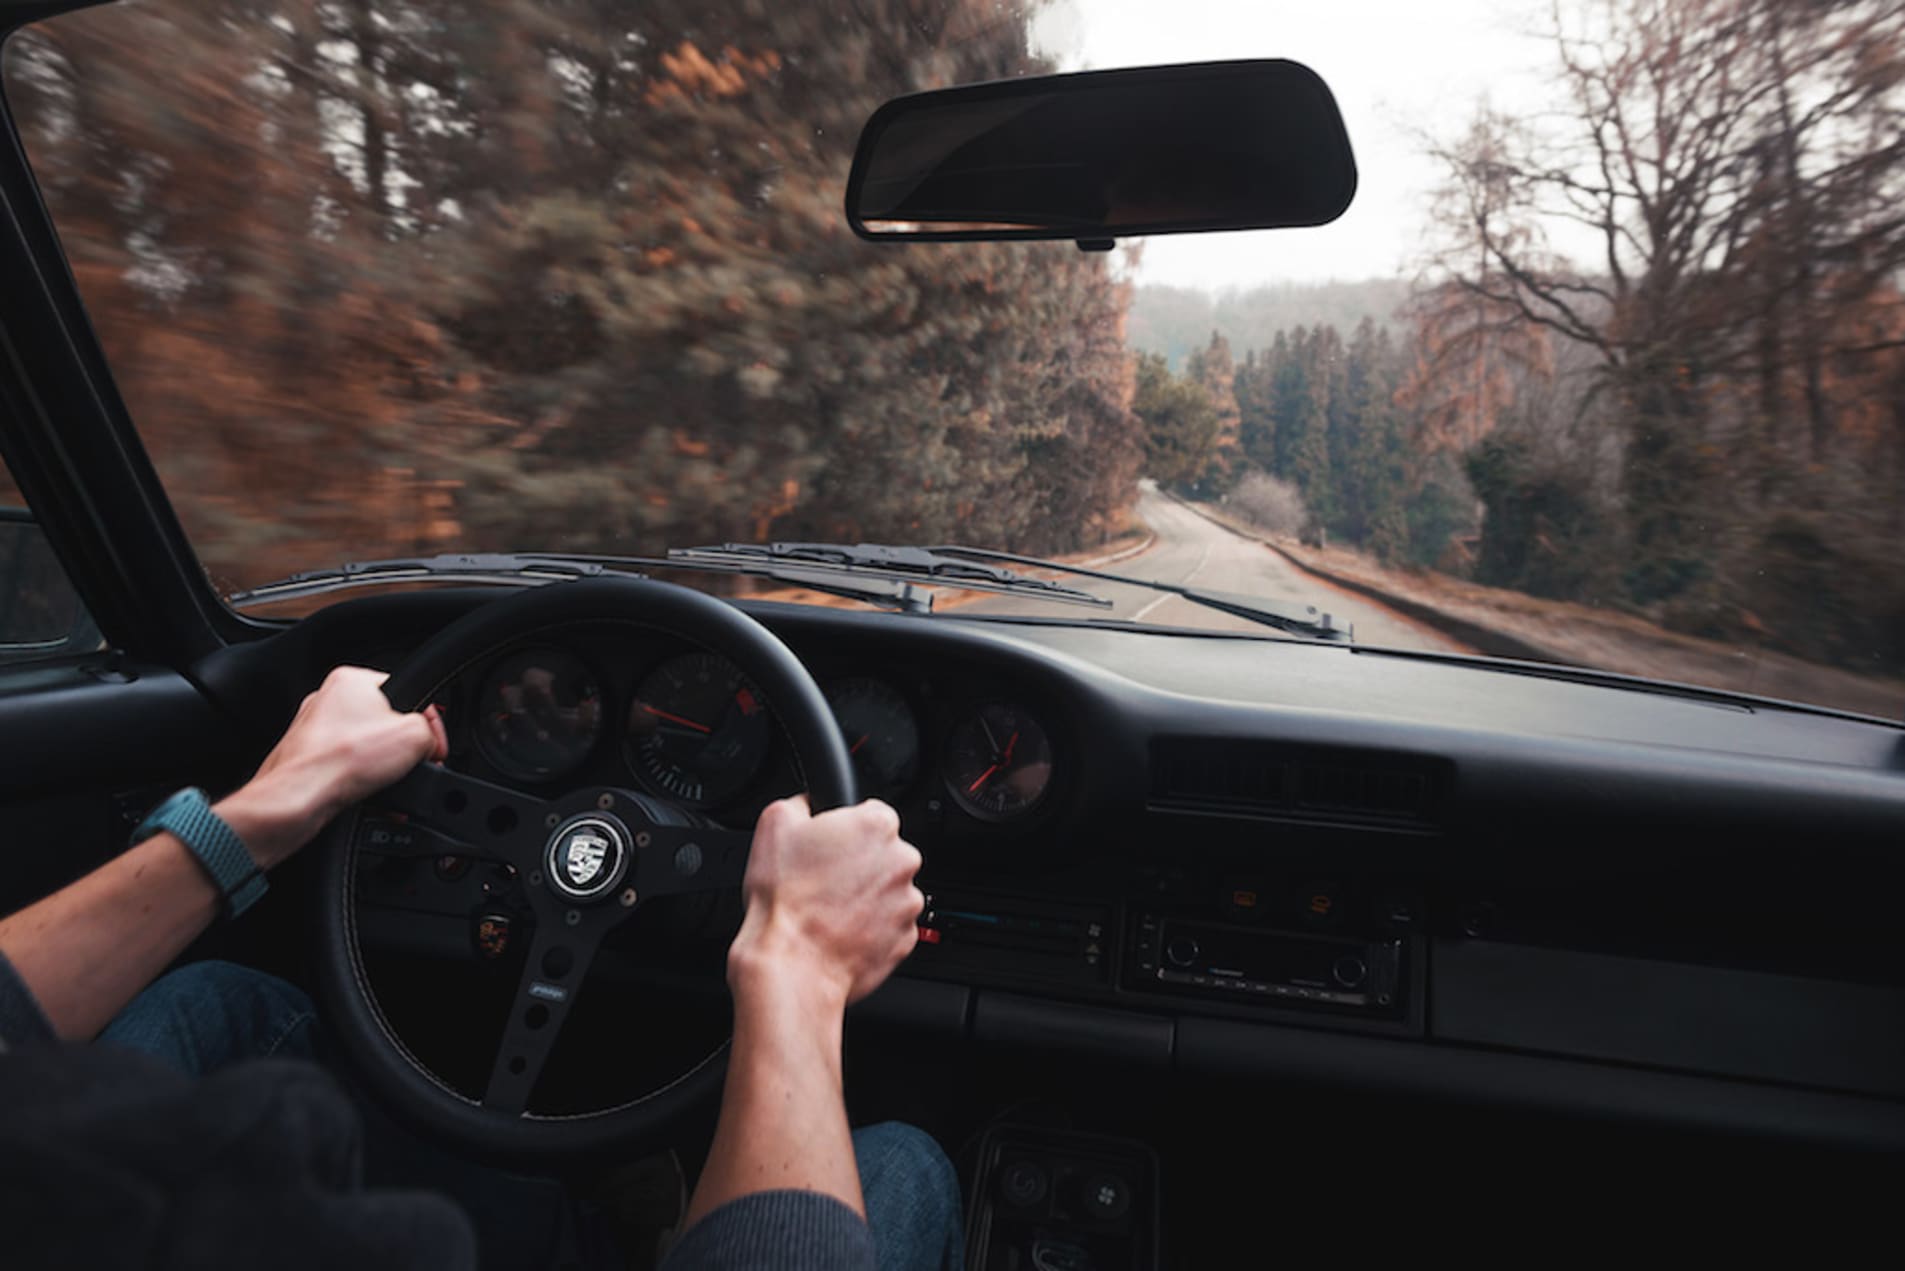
[{"x": 87, "y": 950}]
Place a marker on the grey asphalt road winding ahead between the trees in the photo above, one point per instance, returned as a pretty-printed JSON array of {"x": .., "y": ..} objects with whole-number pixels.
[{"x": 1195, "y": 552}]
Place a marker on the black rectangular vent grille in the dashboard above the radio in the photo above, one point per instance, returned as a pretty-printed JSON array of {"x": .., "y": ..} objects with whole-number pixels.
[{"x": 1283, "y": 782}]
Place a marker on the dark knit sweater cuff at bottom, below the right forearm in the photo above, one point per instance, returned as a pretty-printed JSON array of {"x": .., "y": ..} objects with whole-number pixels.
[{"x": 776, "y": 1232}]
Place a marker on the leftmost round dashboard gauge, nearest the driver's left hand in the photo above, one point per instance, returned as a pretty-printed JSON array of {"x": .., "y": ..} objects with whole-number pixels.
[{"x": 540, "y": 714}]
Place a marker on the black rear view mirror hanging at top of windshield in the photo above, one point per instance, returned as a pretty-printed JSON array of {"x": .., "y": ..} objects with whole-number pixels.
[{"x": 1104, "y": 155}]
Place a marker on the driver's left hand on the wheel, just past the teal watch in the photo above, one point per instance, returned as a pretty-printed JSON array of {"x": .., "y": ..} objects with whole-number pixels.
[{"x": 346, "y": 744}]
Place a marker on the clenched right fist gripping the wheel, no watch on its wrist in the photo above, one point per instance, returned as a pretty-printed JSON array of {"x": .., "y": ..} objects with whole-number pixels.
[{"x": 830, "y": 897}]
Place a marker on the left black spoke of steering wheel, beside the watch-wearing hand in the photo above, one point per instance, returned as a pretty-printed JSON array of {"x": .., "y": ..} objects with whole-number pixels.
[{"x": 466, "y": 815}]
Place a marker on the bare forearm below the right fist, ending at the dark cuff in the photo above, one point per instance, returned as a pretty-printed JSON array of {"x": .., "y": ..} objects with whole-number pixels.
[{"x": 784, "y": 1114}]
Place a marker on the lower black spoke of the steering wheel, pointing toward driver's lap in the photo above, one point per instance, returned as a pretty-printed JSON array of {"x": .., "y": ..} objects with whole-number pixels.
[{"x": 551, "y": 978}]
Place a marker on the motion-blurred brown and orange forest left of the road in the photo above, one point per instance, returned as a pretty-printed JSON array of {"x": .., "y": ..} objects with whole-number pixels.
[{"x": 386, "y": 277}]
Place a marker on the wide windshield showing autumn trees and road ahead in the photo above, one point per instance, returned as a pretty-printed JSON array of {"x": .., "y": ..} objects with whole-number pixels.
[{"x": 1605, "y": 365}]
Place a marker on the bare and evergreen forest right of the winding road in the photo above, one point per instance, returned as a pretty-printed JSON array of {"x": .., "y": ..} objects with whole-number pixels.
[{"x": 1698, "y": 418}]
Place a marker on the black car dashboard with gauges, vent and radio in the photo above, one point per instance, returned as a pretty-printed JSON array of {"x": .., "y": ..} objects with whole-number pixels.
[{"x": 1195, "y": 853}]
